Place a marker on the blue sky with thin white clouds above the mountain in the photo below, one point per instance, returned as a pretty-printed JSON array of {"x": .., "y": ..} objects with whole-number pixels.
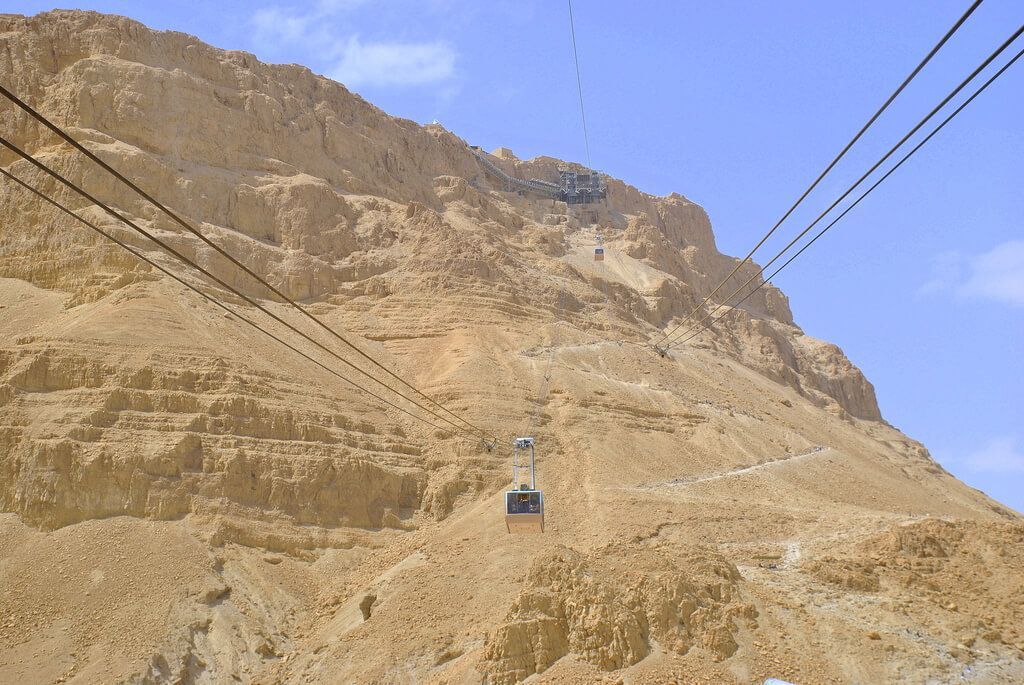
[{"x": 739, "y": 106}]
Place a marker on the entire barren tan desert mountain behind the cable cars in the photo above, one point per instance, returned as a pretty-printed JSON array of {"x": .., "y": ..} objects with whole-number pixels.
[{"x": 185, "y": 501}]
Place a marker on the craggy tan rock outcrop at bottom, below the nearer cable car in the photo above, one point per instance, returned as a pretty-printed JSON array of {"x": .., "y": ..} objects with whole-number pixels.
[{"x": 607, "y": 610}]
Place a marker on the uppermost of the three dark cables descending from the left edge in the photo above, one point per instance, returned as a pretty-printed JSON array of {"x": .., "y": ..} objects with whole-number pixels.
[{"x": 178, "y": 220}]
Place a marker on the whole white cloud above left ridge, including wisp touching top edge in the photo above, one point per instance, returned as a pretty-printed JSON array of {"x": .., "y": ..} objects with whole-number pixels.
[{"x": 348, "y": 58}]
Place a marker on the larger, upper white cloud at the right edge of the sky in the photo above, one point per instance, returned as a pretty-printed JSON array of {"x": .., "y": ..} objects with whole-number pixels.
[{"x": 997, "y": 275}]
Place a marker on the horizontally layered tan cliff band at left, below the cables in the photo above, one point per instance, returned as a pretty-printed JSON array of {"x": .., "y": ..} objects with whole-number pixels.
[{"x": 158, "y": 443}]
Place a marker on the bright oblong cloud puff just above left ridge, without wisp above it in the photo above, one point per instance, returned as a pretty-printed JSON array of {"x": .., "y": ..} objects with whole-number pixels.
[{"x": 395, "y": 64}]
